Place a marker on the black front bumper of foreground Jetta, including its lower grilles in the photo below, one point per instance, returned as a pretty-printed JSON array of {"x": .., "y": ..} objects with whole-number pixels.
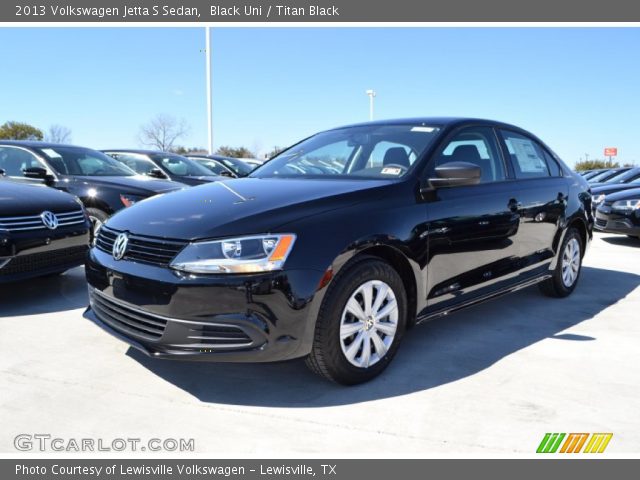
[{"x": 226, "y": 318}]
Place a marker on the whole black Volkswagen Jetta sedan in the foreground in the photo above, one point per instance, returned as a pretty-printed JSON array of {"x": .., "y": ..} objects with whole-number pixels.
[{"x": 338, "y": 245}]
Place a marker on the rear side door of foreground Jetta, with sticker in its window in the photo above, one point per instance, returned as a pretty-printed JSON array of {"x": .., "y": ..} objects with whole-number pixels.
[{"x": 540, "y": 198}]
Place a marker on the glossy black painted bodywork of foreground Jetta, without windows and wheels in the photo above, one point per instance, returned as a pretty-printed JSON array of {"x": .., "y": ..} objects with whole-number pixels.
[{"x": 452, "y": 246}]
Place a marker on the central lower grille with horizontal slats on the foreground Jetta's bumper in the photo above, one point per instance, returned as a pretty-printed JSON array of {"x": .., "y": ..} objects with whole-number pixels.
[{"x": 127, "y": 319}]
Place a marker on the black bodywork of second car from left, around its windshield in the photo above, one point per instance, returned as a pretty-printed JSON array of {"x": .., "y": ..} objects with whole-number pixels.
[{"x": 102, "y": 193}]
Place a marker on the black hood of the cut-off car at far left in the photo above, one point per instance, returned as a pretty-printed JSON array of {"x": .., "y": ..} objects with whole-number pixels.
[{"x": 18, "y": 199}]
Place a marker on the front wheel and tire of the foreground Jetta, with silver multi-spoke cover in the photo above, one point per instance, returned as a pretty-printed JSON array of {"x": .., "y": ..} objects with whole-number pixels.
[{"x": 329, "y": 355}]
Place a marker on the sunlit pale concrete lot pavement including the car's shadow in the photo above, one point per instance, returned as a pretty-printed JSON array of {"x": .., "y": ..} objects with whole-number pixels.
[{"x": 491, "y": 379}]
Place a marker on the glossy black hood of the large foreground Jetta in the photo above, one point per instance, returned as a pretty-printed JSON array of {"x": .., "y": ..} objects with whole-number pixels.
[{"x": 241, "y": 206}]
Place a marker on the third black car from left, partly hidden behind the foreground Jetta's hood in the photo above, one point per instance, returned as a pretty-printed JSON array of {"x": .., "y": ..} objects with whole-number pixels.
[{"x": 164, "y": 165}]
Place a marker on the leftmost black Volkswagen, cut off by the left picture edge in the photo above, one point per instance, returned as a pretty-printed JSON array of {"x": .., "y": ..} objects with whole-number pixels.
[{"x": 42, "y": 231}]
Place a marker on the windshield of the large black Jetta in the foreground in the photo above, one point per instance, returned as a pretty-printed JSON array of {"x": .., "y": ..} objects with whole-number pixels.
[{"x": 372, "y": 151}]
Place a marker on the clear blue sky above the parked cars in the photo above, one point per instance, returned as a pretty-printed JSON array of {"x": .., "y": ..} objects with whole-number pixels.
[{"x": 577, "y": 88}]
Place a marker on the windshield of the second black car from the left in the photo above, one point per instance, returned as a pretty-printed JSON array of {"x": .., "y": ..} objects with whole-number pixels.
[{"x": 82, "y": 161}]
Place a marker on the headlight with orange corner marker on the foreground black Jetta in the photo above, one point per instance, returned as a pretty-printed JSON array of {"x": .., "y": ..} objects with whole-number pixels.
[{"x": 254, "y": 254}]
